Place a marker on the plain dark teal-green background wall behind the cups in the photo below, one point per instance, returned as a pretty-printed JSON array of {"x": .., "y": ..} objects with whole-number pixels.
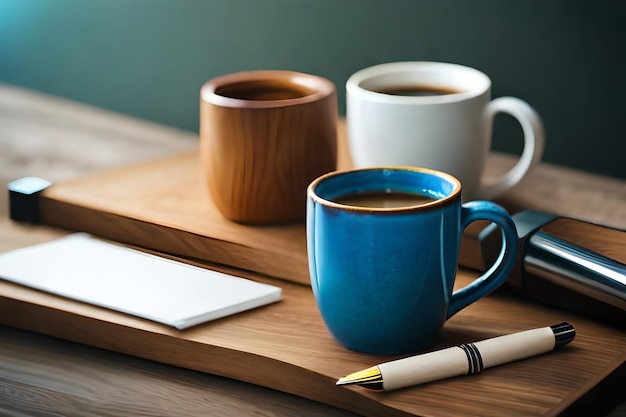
[{"x": 148, "y": 58}]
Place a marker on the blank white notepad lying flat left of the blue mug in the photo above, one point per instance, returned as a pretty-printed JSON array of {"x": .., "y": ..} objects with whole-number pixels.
[{"x": 86, "y": 269}]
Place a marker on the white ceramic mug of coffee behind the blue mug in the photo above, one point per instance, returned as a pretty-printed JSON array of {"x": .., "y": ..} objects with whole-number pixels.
[{"x": 435, "y": 115}]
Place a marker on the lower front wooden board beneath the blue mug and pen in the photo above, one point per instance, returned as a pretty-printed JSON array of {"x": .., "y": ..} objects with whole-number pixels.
[{"x": 285, "y": 346}]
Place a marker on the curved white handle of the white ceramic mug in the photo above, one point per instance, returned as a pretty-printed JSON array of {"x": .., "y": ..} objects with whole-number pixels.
[{"x": 534, "y": 139}]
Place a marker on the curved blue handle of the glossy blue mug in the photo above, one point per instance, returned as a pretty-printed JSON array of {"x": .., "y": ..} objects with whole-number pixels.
[{"x": 493, "y": 277}]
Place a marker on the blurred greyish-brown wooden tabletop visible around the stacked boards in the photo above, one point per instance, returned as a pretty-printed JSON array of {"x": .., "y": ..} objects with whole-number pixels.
[{"x": 60, "y": 140}]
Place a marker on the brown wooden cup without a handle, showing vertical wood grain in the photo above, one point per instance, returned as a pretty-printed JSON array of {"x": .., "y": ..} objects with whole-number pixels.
[{"x": 264, "y": 136}]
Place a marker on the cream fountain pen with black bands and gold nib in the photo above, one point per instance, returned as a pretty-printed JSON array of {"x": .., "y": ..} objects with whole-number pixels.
[{"x": 465, "y": 359}]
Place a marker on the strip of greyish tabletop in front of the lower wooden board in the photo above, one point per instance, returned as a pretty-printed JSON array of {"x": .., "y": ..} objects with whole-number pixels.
[{"x": 39, "y": 380}]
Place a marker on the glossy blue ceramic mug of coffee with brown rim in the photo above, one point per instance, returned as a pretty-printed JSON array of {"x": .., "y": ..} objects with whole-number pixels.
[{"x": 383, "y": 247}]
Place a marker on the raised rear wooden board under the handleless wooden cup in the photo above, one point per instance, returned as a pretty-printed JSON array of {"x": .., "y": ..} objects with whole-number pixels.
[{"x": 165, "y": 206}]
